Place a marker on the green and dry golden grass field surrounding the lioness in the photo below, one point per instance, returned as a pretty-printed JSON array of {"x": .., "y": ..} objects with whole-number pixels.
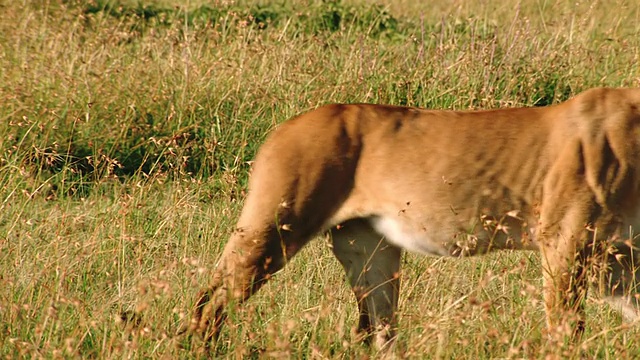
[{"x": 126, "y": 131}]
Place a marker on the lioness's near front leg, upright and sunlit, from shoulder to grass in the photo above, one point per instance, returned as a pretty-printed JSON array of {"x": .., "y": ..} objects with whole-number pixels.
[{"x": 568, "y": 211}]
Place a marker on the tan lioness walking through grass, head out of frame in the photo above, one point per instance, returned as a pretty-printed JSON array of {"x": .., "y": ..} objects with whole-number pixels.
[{"x": 563, "y": 179}]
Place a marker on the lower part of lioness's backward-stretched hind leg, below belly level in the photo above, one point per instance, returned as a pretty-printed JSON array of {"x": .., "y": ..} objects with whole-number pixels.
[{"x": 268, "y": 234}]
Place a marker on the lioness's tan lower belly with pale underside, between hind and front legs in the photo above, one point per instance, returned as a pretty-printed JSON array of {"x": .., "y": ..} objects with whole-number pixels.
[{"x": 457, "y": 221}]
